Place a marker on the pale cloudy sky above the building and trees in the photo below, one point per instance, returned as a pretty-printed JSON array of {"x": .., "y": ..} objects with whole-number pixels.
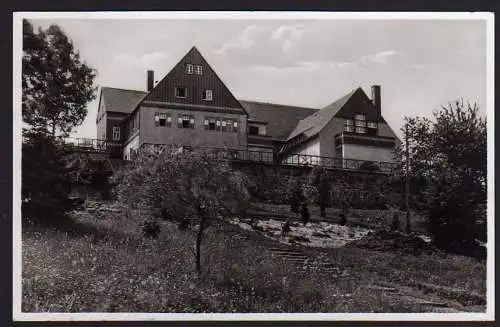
[{"x": 420, "y": 64}]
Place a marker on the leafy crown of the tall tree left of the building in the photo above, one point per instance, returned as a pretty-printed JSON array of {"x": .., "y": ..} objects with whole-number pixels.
[{"x": 56, "y": 84}]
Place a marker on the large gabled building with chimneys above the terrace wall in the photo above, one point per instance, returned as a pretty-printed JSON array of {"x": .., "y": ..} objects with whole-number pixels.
[{"x": 191, "y": 106}]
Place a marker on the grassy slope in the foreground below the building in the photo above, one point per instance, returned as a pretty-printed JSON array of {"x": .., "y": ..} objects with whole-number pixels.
[{"x": 104, "y": 265}]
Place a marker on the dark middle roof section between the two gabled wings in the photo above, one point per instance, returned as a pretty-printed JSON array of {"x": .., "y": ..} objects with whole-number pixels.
[{"x": 280, "y": 119}]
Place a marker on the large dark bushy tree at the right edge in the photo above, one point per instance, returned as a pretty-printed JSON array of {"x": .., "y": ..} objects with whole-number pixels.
[{"x": 449, "y": 154}]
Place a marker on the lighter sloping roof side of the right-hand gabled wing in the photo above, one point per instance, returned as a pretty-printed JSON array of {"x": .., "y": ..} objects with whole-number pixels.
[{"x": 311, "y": 125}]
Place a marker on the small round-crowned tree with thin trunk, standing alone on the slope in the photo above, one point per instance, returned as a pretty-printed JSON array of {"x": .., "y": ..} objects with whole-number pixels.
[{"x": 191, "y": 188}]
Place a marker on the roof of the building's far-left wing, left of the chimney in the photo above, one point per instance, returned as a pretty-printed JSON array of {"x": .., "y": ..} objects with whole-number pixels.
[{"x": 120, "y": 100}]
